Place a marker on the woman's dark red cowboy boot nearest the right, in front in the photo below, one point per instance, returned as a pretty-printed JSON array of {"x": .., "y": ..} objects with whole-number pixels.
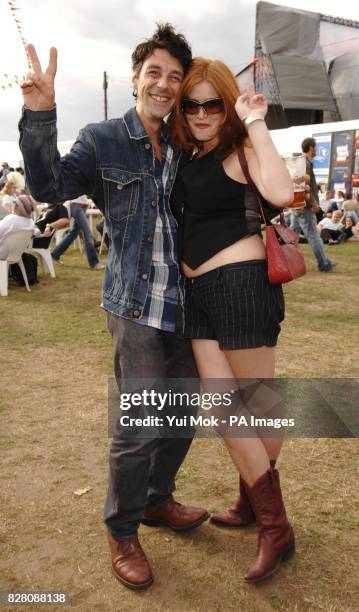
[{"x": 276, "y": 537}]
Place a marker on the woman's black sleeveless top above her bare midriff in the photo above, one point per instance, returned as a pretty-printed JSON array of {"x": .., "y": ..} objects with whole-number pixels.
[{"x": 213, "y": 210}]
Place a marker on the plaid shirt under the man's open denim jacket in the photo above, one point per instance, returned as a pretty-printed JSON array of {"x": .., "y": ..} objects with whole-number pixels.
[{"x": 162, "y": 298}]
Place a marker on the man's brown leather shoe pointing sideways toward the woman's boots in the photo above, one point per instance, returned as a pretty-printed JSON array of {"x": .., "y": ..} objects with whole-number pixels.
[{"x": 176, "y": 516}]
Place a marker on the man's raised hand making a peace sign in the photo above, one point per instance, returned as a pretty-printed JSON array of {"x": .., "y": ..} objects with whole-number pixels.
[{"x": 38, "y": 89}]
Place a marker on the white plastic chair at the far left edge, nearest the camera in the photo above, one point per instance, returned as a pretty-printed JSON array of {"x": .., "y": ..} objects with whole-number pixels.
[{"x": 12, "y": 246}]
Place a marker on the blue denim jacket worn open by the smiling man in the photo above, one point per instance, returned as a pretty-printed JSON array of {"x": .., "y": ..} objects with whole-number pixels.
[{"x": 112, "y": 163}]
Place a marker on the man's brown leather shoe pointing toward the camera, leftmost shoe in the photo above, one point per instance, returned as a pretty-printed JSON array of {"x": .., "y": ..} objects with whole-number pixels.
[{"x": 129, "y": 563}]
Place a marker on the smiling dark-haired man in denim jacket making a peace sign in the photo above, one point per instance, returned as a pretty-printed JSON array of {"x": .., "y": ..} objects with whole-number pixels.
[{"x": 128, "y": 168}]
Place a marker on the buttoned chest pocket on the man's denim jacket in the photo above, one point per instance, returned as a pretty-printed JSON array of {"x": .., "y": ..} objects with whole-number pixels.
[{"x": 121, "y": 191}]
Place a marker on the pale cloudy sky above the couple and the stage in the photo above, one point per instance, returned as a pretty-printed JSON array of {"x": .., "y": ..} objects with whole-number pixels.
[{"x": 97, "y": 35}]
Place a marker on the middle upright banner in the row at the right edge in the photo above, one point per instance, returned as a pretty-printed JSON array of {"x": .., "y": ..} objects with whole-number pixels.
[{"x": 342, "y": 160}]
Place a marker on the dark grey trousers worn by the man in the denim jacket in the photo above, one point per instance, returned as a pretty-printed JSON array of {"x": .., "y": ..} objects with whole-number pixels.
[{"x": 142, "y": 471}]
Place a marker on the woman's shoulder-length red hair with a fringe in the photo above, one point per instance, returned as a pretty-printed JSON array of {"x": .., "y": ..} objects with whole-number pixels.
[{"x": 232, "y": 130}]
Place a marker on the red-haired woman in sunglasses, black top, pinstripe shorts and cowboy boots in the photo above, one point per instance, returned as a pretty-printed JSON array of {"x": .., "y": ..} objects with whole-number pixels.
[{"x": 232, "y": 313}]
